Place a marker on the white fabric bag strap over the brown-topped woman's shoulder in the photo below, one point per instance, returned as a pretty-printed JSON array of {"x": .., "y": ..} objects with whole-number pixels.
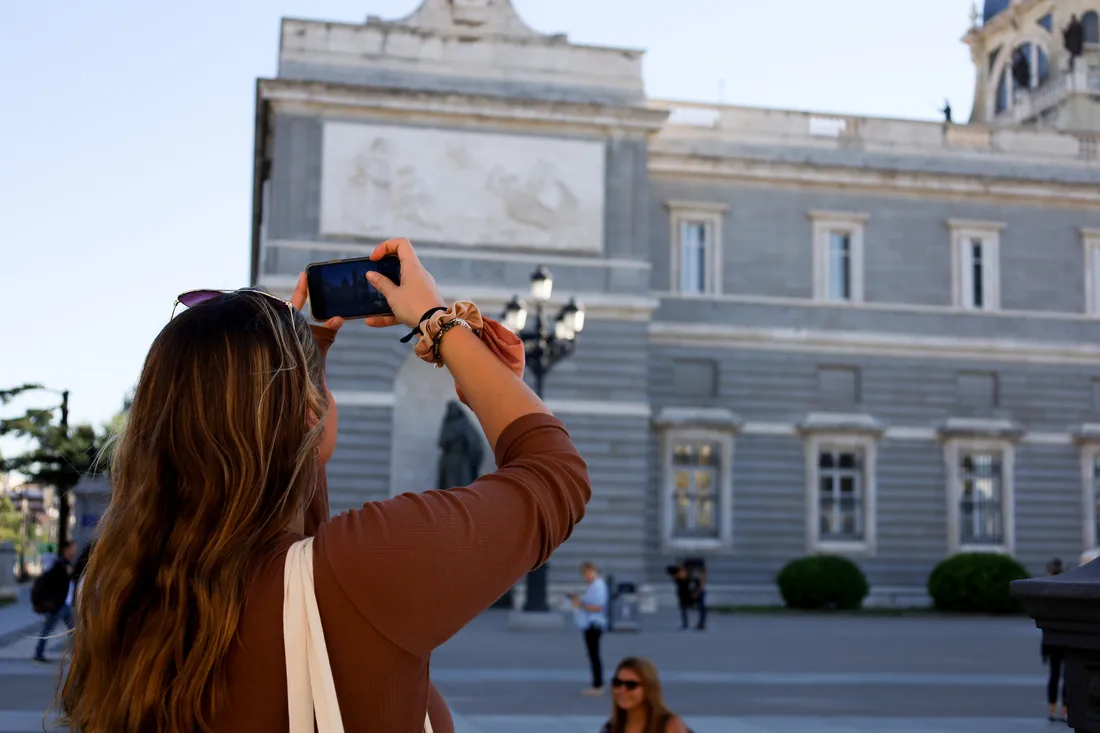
[{"x": 310, "y": 685}]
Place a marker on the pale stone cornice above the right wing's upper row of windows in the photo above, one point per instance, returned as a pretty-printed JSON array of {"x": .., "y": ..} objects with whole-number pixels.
[{"x": 932, "y": 185}]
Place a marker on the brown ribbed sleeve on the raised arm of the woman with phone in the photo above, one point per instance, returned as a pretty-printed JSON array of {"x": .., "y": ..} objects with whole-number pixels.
[{"x": 420, "y": 567}]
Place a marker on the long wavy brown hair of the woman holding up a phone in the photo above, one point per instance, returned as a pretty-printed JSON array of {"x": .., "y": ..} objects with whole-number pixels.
[{"x": 218, "y": 457}]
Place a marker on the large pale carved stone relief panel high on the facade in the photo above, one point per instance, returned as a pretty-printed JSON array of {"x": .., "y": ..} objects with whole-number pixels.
[{"x": 469, "y": 189}]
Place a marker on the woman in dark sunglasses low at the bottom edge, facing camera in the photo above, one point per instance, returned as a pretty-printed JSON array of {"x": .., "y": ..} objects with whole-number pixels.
[{"x": 637, "y": 705}]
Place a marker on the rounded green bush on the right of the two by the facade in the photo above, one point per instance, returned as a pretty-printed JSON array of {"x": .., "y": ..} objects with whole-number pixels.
[{"x": 976, "y": 583}]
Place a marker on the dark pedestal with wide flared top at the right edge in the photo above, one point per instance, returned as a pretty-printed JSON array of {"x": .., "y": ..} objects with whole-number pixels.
[{"x": 1068, "y": 609}]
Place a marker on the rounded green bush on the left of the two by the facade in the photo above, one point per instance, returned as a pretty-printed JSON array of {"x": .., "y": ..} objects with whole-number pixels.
[{"x": 823, "y": 582}]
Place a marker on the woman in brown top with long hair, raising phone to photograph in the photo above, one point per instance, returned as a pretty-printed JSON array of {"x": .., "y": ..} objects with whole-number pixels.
[{"x": 219, "y": 473}]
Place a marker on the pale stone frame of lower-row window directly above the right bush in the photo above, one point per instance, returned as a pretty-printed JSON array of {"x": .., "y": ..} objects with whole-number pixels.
[{"x": 954, "y": 450}]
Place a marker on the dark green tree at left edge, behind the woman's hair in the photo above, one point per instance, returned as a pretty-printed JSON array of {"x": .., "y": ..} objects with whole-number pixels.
[{"x": 58, "y": 455}]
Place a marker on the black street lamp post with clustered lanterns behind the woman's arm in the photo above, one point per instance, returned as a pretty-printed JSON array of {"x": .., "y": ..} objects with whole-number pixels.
[{"x": 546, "y": 343}]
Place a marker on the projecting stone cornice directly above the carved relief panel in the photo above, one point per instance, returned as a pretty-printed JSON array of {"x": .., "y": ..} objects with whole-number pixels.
[{"x": 343, "y": 101}]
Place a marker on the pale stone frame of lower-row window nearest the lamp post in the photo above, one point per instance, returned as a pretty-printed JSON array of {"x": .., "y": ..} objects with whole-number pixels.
[{"x": 702, "y": 431}]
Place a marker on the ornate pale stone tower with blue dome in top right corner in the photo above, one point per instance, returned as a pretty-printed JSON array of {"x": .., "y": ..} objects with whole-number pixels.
[{"x": 1026, "y": 74}]
